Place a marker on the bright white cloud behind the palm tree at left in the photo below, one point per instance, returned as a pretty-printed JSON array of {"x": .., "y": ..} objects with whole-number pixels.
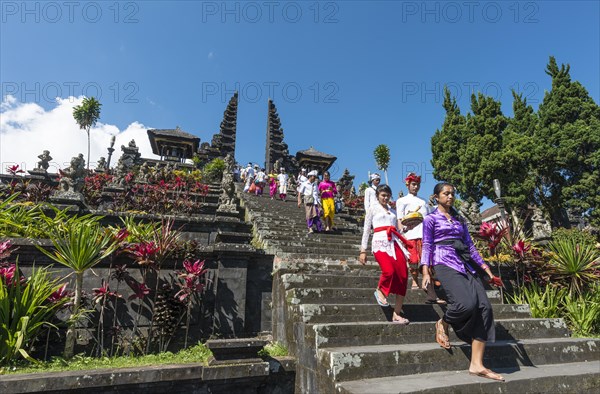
[{"x": 26, "y": 129}]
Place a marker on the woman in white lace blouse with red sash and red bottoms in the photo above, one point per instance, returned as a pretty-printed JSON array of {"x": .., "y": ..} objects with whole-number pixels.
[{"x": 389, "y": 251}]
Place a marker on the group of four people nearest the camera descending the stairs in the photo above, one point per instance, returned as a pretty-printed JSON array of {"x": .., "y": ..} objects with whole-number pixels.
[{"x": 441, "y": 247}]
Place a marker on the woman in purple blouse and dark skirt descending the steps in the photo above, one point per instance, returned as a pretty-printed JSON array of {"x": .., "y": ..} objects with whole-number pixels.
[{"x": 449, "y": 249}]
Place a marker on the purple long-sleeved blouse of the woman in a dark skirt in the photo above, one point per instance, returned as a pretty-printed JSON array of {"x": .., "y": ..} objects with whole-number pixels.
[{"x": 436, "y": 228}]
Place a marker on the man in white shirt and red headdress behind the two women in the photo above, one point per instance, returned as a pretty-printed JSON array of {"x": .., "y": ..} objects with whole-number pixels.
[{"x": 405, "y": 205}]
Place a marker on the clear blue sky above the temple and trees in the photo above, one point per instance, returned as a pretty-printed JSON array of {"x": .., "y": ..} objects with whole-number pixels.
[{"x": 346, "y": 76}]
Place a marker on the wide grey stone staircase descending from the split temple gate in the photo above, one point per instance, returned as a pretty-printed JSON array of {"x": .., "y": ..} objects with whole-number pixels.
[{"x": 325, "y": 313}]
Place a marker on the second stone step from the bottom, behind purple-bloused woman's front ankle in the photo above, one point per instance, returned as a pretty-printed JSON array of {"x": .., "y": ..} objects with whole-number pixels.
[{"x": 362, "y": 362}]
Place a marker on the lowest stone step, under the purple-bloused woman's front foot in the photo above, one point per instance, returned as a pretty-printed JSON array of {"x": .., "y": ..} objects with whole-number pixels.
[{"x": 581, "y": 377}]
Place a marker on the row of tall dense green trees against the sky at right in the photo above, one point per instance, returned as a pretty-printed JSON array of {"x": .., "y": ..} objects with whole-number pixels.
[{"x": 550, "y": 158}]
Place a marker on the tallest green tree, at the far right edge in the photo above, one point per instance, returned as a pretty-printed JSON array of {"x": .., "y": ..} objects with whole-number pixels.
[{"x": 568, "y": 148}]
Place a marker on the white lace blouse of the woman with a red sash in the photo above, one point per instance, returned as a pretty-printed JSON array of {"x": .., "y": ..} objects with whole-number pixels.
[{"x": 377, "y": 216}]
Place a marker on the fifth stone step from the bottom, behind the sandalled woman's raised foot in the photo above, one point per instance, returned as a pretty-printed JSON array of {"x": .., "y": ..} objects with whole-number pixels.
[{"x": 305, "y": 295}]
